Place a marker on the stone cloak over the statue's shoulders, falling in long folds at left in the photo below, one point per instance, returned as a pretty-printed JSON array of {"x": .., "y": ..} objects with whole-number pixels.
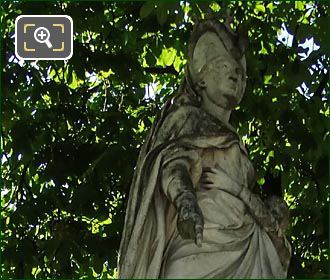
[{"x": 181, "y": 126}]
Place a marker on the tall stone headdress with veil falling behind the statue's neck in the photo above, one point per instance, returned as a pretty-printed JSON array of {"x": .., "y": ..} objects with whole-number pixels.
[{"x": 208, "y": 40}]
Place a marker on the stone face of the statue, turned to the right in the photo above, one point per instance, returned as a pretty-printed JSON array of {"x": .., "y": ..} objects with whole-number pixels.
[{"x": 223, "y": 82}]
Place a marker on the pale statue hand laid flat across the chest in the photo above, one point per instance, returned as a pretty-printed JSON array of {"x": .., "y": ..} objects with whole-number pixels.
[{"x": 218, "y": 178}]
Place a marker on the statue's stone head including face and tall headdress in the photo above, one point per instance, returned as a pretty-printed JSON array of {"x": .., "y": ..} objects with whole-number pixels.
[{"x": 216, "y": 64}]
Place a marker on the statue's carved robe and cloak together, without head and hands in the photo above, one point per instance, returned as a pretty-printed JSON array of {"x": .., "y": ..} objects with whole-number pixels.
[{"x": 234, "y": 244}]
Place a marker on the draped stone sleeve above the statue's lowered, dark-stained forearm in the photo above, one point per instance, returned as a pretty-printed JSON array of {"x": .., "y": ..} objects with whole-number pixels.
[{"x": 181, "y": 170}]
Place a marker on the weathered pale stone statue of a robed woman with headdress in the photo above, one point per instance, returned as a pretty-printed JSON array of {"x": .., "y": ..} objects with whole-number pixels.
[{"x": 191, "y": 212}]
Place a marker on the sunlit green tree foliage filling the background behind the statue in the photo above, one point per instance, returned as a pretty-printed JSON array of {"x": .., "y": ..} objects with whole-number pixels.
[{"x": 71, "y": 130}]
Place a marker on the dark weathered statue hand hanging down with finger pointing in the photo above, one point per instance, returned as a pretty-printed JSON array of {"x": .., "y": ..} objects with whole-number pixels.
[{"x": 190, "y": 221}]
